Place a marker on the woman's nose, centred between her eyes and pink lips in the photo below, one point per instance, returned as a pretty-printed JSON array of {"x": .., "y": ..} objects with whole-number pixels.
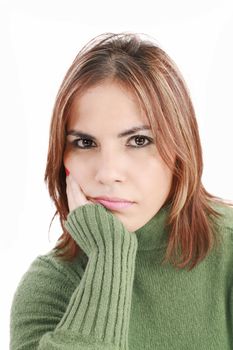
[{"x": 109, "y": 167}]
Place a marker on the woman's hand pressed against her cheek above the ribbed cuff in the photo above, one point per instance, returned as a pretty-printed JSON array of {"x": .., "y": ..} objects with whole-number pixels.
[{"x": 75, "y": 195}]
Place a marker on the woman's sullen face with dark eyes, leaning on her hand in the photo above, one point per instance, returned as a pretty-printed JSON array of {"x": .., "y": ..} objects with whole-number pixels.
[{"x": 107, "y": 164}]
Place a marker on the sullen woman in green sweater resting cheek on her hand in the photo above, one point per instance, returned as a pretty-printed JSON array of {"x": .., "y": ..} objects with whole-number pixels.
[{"x": 145, "y": 259}]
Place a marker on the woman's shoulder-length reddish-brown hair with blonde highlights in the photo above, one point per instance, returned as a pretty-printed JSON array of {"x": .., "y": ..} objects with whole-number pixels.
[{"x": 147, "y": 71}]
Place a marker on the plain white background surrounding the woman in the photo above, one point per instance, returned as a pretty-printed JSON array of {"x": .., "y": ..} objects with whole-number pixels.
[{"x": 39, "y": 40}]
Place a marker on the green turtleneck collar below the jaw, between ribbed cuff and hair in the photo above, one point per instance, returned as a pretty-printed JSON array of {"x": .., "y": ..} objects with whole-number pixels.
[{"x": 154, "y": 234}]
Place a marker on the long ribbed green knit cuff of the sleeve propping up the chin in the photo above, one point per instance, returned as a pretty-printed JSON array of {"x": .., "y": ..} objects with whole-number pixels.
[{"x": 97, "y": 315}]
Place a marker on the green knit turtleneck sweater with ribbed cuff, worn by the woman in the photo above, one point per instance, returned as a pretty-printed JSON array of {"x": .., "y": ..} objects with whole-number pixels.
[{"x": 116, "y": 294}]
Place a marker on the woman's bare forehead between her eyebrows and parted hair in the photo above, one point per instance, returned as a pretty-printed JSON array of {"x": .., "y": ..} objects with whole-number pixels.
[{"x": 108, "y": 103}]
